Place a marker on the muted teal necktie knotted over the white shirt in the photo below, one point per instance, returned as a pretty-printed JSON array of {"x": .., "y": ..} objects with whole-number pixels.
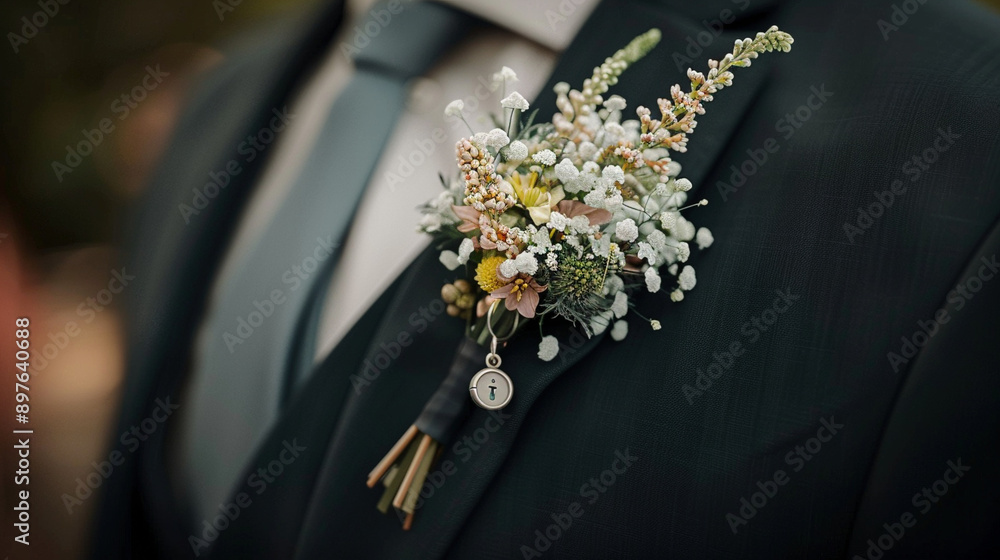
[{"x": 260, "y": 333}]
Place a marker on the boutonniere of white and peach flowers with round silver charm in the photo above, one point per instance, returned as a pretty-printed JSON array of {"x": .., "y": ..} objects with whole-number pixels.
[{"x": 558, "y": 220}]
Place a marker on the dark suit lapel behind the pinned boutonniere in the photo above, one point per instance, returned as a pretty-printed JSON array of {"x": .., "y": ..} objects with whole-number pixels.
[{"x": 342, "y": 518}]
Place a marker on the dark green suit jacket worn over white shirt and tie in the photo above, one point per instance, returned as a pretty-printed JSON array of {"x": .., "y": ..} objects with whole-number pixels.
[{"x": 829, "y": 390}]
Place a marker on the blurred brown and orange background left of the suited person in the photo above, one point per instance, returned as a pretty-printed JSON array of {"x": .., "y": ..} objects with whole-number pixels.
[{"x": 90, "y": 94}]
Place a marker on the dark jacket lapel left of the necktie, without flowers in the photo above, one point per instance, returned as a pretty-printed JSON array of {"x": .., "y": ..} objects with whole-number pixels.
[{"x": 181, "y": 238}]
